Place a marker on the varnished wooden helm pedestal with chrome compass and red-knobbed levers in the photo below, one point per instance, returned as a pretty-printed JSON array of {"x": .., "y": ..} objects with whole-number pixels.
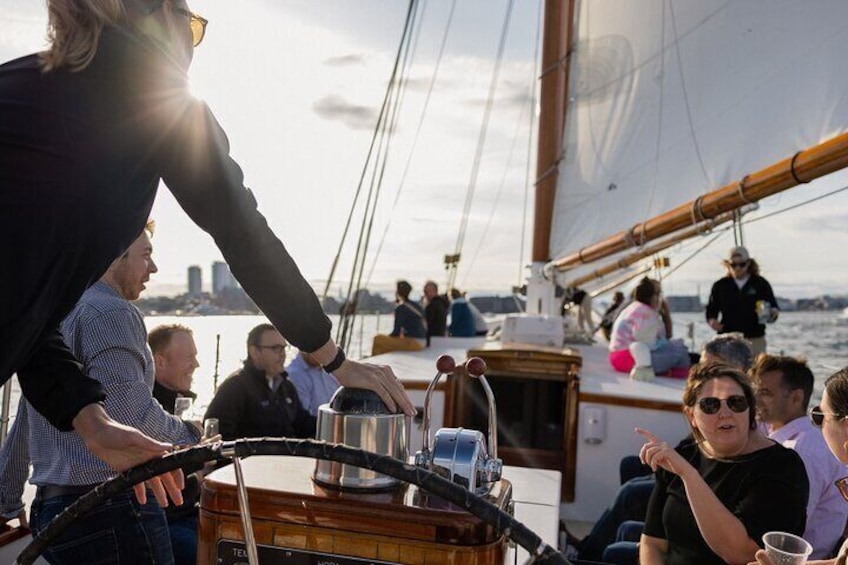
[{"x": 307, "y": 511}]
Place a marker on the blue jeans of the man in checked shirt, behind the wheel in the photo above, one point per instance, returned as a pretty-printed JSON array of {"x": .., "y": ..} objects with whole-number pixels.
[{"x": 119, "y": 530}]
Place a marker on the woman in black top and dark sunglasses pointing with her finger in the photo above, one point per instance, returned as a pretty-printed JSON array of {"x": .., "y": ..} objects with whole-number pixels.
[{"x": 717, "y": 496}]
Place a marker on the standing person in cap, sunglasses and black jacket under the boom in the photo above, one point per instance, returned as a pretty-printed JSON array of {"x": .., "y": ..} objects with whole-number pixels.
[{"x": 742, "y": 301}]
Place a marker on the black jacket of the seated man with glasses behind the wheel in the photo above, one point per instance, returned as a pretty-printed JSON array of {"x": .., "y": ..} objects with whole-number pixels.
[{"x": 247, "y": 407}]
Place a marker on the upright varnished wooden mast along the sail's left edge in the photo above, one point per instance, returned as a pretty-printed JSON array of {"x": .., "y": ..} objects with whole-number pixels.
[{"x": 553, "y": 101}]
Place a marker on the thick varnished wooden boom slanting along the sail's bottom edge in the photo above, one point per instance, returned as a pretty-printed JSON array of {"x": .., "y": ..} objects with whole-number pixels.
[{"x": 803, "y": 167}]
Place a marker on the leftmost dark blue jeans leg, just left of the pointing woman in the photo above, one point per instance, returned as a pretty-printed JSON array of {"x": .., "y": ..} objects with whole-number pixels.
[{"x": 631, "y": 503}]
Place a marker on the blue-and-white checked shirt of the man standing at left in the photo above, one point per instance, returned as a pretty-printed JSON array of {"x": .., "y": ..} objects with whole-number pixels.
[{"x": 107, "y": 334}]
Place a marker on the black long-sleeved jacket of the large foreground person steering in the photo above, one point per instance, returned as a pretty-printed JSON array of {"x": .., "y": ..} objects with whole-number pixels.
[{"x": 81, "y": 157}]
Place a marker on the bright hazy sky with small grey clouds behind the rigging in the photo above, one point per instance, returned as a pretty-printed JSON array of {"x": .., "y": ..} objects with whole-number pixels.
[{"x": 298, "y": 85}]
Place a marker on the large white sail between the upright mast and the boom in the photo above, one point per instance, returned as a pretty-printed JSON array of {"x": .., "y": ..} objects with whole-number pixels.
[{"x": 671, "y": 99}]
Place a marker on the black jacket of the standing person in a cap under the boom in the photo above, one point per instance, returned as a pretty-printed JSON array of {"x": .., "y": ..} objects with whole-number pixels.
[{"x": 738, "y": 307}]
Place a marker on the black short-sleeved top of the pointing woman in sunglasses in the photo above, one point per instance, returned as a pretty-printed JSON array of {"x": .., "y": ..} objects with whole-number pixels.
[{"x": 766, "y": 490}]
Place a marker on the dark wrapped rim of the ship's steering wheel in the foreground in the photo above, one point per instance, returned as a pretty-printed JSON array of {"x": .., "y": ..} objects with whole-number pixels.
[{"x": 196, "y": 456}]
